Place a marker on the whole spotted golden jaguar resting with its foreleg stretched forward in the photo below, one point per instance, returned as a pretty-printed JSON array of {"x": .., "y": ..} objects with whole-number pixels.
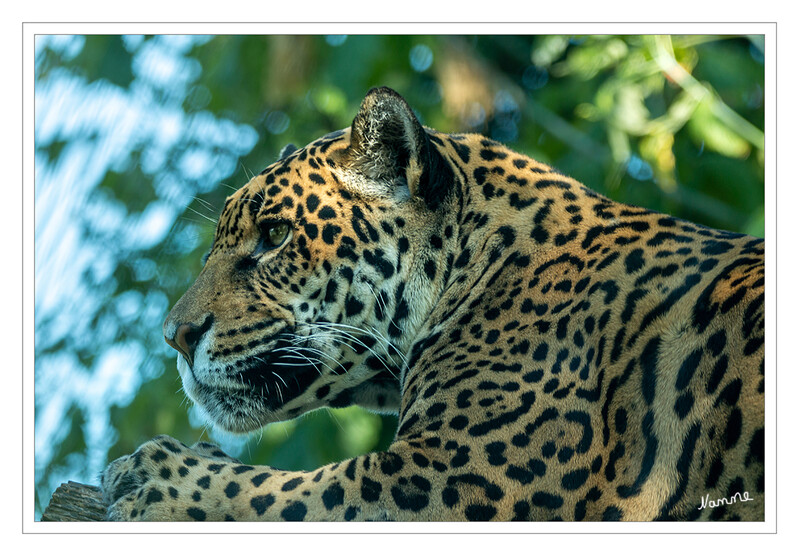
[{"x": 551, "y": 354}]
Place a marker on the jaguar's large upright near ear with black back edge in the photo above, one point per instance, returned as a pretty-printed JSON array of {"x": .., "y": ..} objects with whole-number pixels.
[{"x": 389, "y": 145}]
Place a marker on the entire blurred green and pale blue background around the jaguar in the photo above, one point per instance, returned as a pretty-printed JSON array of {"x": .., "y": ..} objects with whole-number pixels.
[{"x": 139, "y": 139}]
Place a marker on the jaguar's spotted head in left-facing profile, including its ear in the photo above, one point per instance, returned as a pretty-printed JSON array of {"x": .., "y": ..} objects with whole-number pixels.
[{"x": 320, "y": 272}]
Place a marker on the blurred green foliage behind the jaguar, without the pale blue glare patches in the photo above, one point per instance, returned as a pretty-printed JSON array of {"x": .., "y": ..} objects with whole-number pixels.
[{"x": 674, "y": 124}]
